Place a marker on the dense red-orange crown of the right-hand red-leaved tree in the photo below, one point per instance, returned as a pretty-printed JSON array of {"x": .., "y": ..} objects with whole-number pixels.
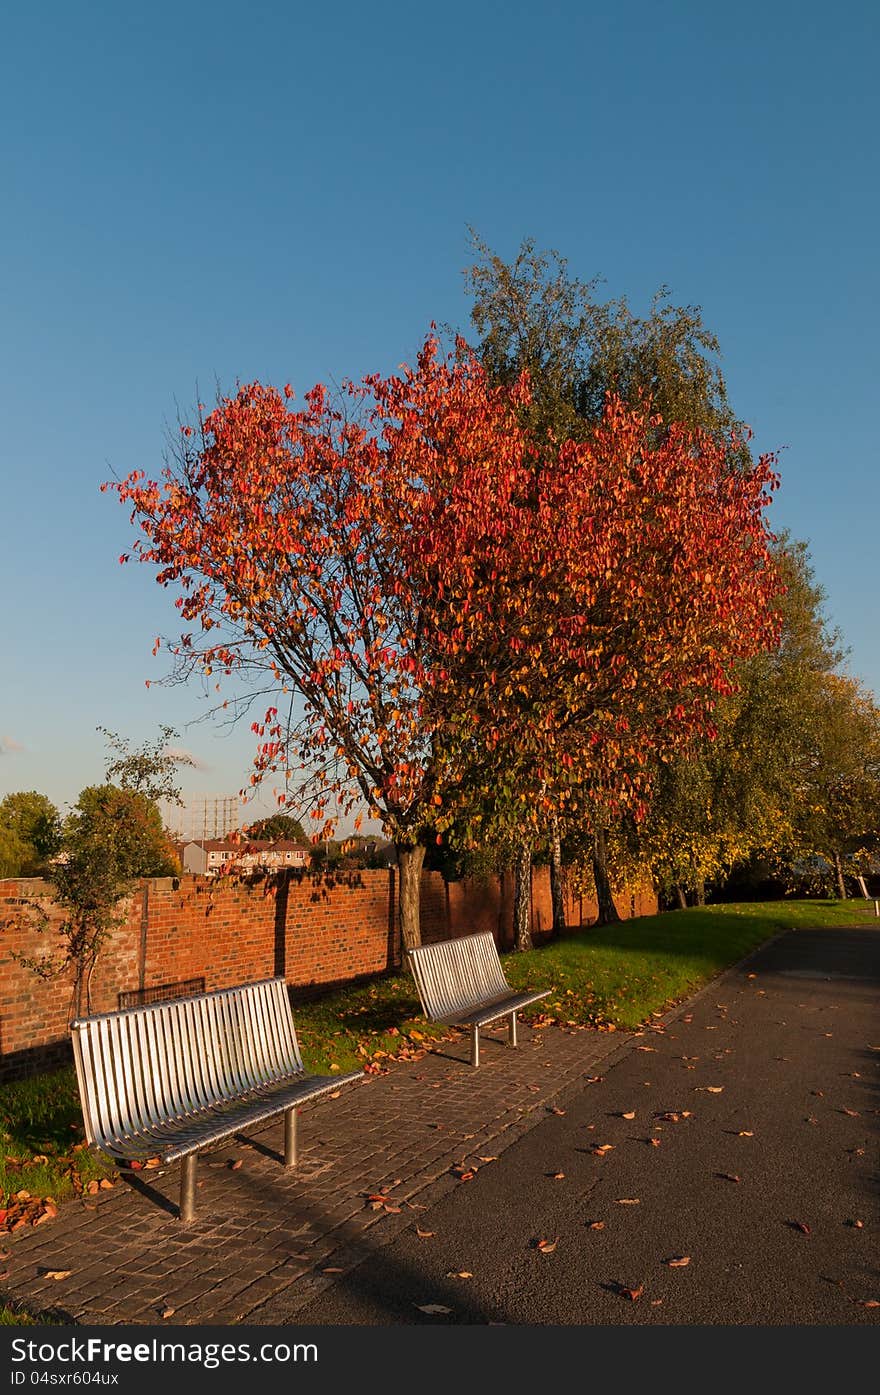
[{"x": 637, "y": 571}]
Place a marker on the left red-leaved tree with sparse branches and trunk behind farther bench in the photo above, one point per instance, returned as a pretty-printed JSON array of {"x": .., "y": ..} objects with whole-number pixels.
[{"x": 288, "y": 535}]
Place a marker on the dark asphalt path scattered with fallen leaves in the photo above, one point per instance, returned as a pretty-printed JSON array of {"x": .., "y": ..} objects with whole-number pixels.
[{"x": 725, "y": 1171}]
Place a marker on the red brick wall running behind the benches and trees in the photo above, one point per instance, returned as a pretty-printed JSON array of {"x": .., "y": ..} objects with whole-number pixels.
[{"x": 317, "y": 930}]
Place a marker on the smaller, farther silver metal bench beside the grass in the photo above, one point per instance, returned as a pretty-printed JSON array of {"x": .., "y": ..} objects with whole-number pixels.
[{"x": 461, "y": 983}]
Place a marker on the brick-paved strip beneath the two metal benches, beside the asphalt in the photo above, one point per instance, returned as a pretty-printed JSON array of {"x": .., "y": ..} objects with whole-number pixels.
[{"x": 264, "y": 1241}]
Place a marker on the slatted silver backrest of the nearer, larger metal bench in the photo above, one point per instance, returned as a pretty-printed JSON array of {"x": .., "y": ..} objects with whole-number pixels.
[{"x": 146, "y": 1065}]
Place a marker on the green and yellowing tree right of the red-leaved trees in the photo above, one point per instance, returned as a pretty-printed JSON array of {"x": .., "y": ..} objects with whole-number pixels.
[{"x": 789, "y": 774}]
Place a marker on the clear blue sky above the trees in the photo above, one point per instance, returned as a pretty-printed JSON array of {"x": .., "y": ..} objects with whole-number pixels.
[{"x": 196, "y": 195}]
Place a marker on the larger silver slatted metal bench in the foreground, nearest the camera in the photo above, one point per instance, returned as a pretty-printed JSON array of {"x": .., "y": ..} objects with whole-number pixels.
[{"x": 165, "y": 1082}]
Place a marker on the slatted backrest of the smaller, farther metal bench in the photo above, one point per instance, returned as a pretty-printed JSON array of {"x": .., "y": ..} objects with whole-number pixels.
[{"x": 458, "y": 974}]
